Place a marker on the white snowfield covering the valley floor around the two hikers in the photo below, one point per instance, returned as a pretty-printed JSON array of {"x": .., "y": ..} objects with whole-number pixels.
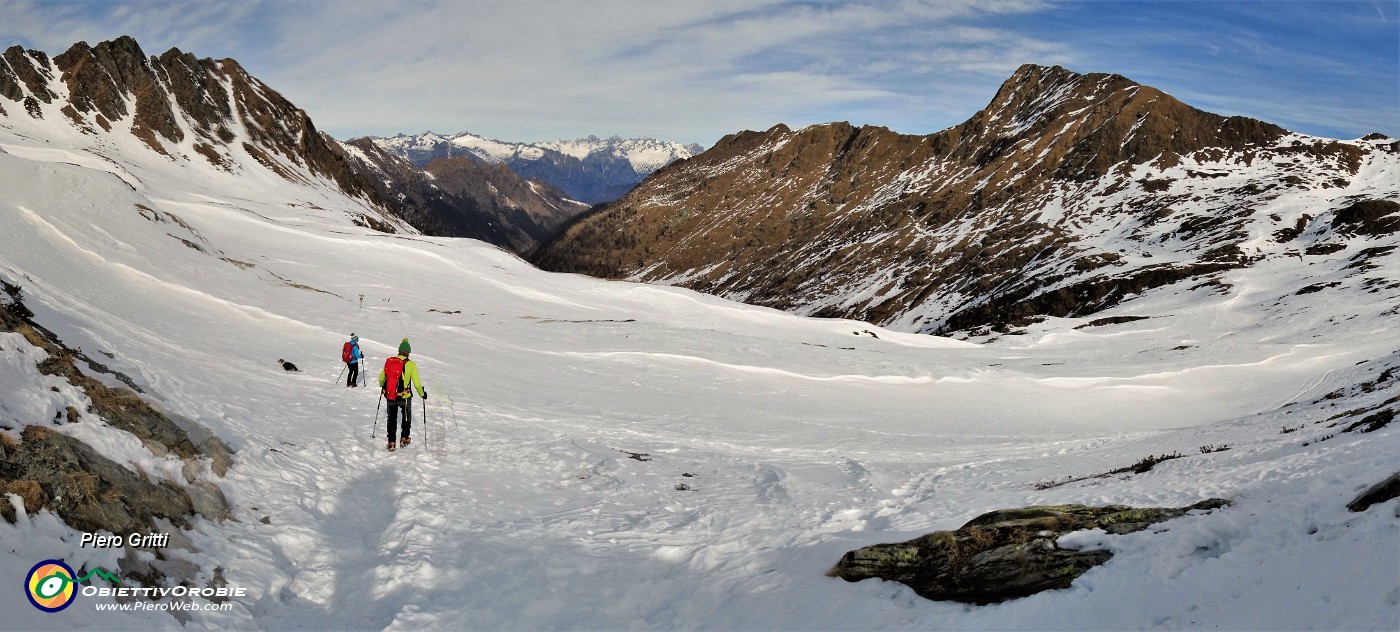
[{"x": 563, "y": 413}]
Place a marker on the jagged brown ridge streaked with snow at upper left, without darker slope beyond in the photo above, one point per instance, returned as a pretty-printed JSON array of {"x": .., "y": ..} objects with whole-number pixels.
[{"x": 176, "y": 102}]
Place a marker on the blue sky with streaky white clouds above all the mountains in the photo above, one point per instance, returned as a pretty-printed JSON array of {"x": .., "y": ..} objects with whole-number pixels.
[{"x": 698, "y": 71}]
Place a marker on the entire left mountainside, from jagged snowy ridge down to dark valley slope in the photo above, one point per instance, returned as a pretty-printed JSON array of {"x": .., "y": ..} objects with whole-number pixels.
[{"x": 213, "y": 113}]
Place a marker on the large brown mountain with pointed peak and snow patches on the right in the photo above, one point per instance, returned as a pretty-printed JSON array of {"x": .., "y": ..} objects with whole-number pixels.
[{"x": 1066, "y": 194}]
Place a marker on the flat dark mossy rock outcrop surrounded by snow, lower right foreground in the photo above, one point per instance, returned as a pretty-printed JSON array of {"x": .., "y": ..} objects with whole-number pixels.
[{"x": 1003, "y": 556}]
